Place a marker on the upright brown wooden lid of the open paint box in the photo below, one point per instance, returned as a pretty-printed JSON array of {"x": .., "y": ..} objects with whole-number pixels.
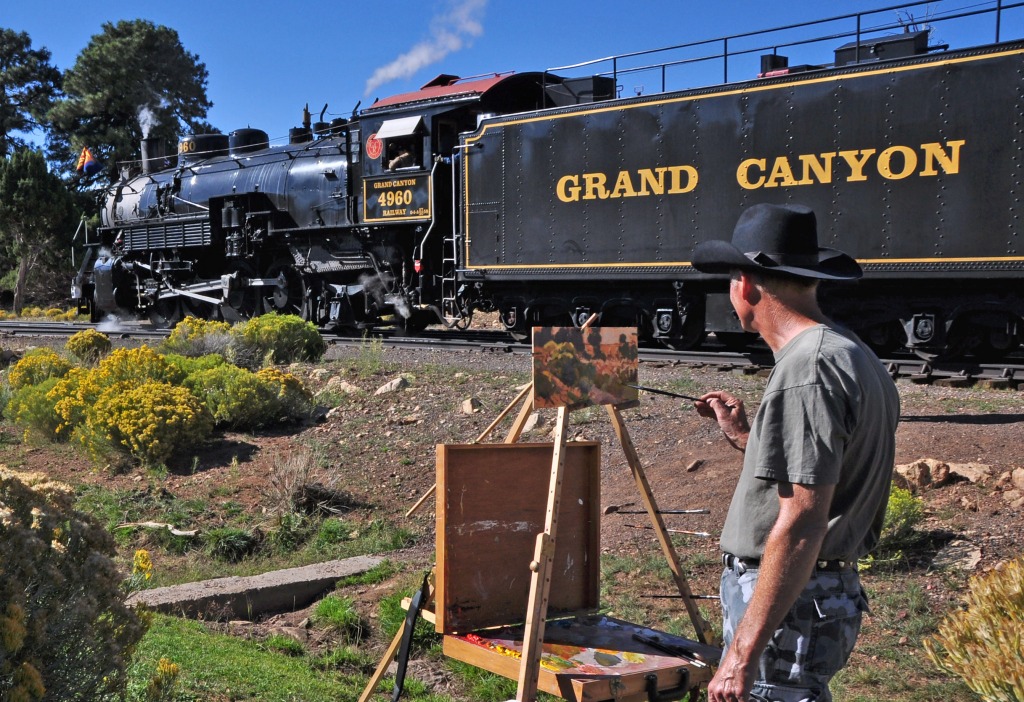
[{"x": 492, "y": 501}]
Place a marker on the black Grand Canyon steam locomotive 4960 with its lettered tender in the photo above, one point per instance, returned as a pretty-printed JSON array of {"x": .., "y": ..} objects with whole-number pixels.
[{"x": 549, "y": 199}]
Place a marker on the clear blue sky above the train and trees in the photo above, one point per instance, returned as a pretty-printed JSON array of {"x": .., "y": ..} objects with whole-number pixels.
[{"x": 268, "y": 59}]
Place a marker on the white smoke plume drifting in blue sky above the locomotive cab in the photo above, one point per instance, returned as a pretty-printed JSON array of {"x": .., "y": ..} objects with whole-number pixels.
[{"x": 450, "y": 32}]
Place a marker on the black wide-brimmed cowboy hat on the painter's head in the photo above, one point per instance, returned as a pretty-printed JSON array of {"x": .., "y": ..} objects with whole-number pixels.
[{"x": 777, "y": 239}]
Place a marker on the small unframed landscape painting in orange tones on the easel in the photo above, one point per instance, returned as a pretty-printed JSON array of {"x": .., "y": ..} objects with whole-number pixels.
[{"x": 577, "y": 369}]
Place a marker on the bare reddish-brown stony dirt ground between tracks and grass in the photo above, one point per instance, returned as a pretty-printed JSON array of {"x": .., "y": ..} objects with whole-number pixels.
[{"x": 380, "y": 451}]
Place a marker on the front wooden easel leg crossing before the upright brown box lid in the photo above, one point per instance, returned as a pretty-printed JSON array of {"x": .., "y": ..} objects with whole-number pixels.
[{"x": 540, "y": 585}]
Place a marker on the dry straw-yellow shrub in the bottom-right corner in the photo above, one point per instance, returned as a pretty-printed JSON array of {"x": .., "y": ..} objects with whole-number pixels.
[{"x": 983, "y": 644}]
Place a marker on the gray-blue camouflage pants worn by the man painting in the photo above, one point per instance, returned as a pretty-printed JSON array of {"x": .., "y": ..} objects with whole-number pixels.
[{"x": 813, "y": 643}]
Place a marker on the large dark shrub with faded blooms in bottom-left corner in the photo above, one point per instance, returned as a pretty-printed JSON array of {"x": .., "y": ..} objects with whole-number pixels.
[{"x": 65, "y": 630}]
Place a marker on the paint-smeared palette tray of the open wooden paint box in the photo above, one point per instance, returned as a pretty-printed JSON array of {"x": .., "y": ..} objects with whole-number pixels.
[{"x": 586, "y": 660}]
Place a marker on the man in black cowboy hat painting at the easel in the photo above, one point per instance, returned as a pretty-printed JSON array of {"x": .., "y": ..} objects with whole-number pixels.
[{"x": 818, "y": 466}]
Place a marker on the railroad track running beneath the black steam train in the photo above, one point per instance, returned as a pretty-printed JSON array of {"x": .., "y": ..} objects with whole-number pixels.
[{"x": 1008, "y": 374}]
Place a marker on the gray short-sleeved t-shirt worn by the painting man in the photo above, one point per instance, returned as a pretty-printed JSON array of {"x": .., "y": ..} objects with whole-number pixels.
[{"x": 829, "y": 417}]
